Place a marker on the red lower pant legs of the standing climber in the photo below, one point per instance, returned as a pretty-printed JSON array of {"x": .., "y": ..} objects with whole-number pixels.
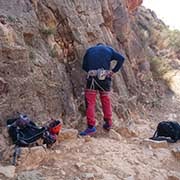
[{"x": 90, "y": 97}]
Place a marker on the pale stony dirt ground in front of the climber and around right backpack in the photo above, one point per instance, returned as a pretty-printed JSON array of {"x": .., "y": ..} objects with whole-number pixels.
[{"x": 111, "y": 156}]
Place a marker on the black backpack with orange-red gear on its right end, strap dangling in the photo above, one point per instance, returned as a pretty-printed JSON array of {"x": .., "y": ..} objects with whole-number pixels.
[{"x": 25, "y": 132}]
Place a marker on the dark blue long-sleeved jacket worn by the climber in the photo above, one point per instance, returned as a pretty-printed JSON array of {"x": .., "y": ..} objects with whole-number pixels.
[{"x": 100, "y": 56}]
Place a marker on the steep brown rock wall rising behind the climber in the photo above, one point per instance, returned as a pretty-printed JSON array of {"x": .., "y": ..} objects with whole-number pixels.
[{"x": 42, "y": 44}]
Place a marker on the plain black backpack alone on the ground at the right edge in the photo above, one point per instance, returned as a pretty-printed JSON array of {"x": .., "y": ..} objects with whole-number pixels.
[{"x": 167, "y": 130}]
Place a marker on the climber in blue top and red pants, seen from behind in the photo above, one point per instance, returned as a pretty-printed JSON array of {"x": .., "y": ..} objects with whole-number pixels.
[{"x": 96, "y": 63}]
